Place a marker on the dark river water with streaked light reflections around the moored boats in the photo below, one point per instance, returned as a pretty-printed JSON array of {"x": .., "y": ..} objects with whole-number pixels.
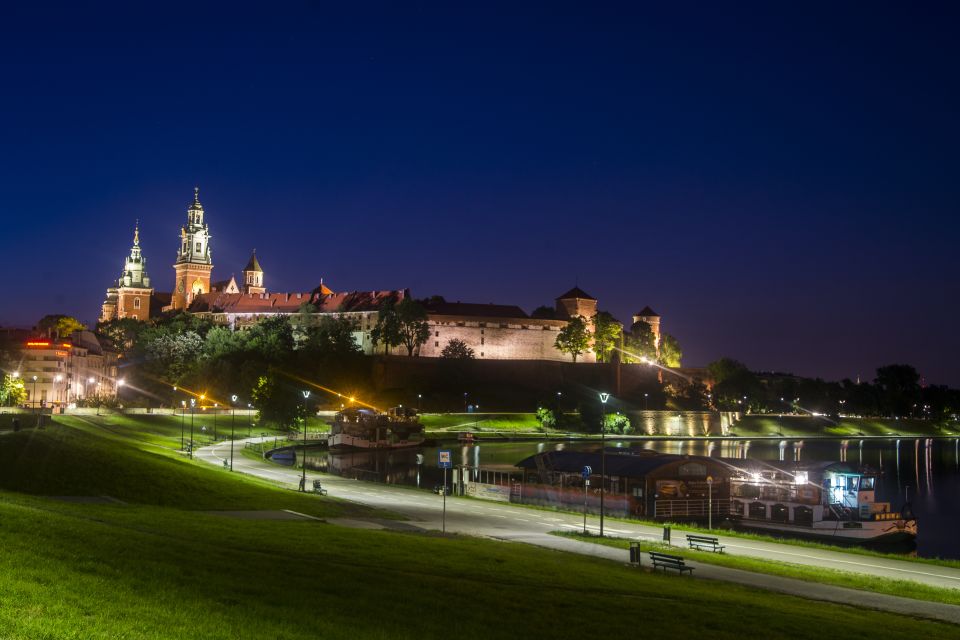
[{"x": 930, "y": 478}]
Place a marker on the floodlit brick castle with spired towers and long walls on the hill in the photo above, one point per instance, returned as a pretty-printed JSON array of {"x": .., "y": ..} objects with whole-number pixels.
[{"x": 493, "y": 331}]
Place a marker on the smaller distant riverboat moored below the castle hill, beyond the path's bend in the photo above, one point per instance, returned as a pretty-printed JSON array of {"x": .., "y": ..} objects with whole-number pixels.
[{"x": 368, "y": 429}]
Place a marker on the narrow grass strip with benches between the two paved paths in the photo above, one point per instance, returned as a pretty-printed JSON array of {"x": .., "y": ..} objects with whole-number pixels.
[{"x": 904, "y": 588}]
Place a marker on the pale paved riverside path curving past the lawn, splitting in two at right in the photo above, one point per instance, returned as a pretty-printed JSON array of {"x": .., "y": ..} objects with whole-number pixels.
[{"x": 523, "y": 524}]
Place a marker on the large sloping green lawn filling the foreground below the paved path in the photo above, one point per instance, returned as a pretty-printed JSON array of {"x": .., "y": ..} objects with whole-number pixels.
[{"x": 161, "y": 568}]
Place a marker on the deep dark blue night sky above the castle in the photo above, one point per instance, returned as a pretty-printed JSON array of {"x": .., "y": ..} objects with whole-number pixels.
[{"x": 779, "y": 182}]
